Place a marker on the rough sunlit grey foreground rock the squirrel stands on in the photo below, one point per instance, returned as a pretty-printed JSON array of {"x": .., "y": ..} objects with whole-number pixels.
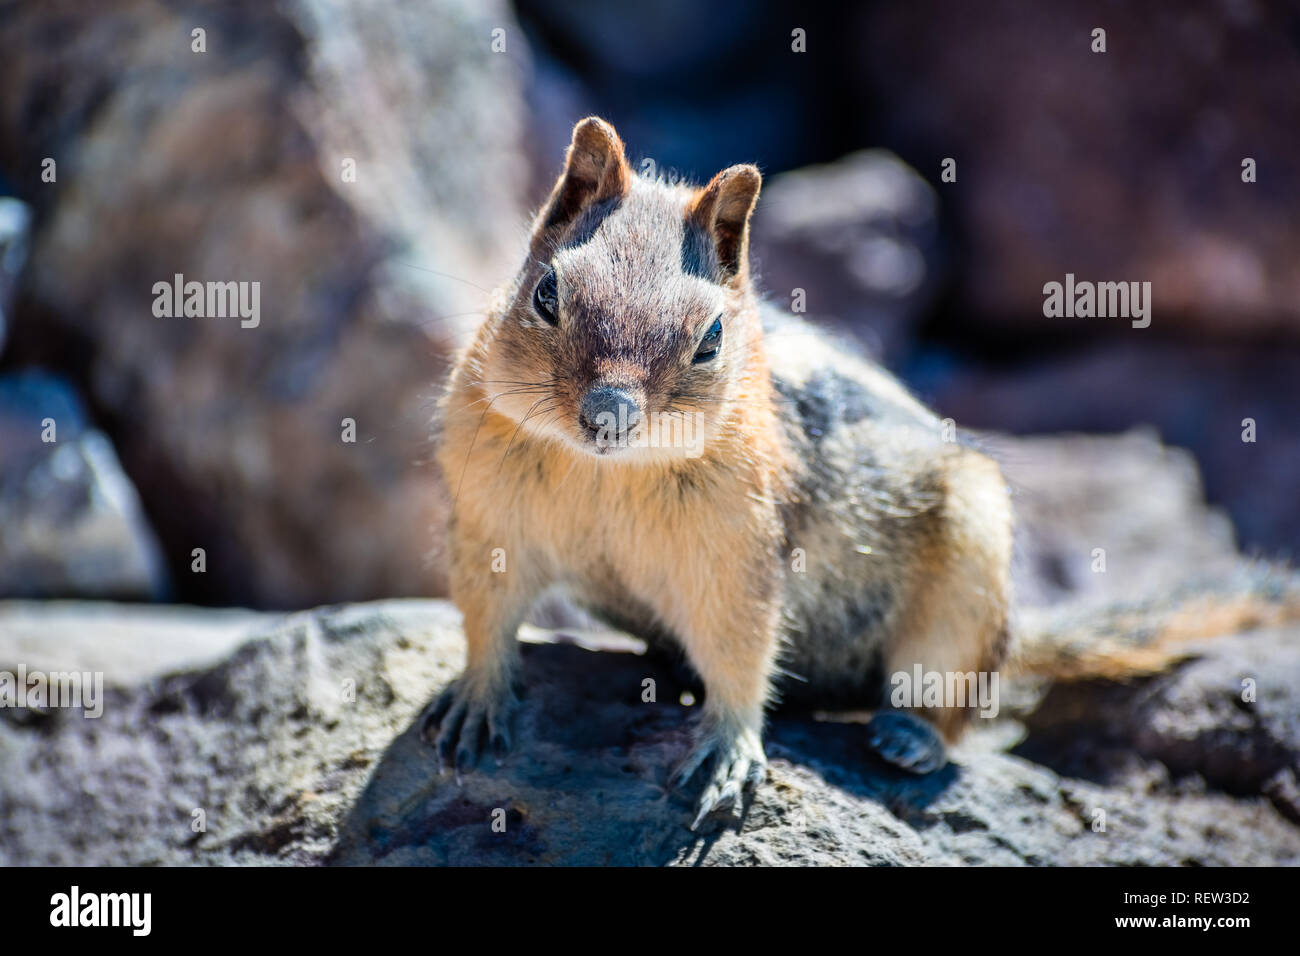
[{"x": 304, "y": 745}]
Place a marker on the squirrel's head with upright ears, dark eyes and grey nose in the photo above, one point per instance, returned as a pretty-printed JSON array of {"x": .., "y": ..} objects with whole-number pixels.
[{"x": 632, "y": 328}]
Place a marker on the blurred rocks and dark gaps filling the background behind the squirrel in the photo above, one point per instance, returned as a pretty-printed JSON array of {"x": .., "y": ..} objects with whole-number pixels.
[{"x": 229, "y": 165}]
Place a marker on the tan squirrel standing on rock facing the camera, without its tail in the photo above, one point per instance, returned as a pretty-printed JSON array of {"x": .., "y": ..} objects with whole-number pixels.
[{"x": 808, "y": 531}]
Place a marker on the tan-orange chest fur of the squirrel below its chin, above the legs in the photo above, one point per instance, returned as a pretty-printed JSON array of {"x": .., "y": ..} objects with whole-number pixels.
[{"x": 673, "y": 538}]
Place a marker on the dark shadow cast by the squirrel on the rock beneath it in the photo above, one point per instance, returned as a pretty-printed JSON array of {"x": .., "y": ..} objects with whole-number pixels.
[{"x": 586, "y": 784}]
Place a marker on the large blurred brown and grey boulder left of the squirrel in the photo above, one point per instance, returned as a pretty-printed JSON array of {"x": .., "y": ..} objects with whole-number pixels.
[{"x": 233, "y": 165}]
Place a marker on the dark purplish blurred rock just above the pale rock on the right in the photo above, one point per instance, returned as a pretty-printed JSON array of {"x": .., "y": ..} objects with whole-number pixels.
[{"x": 1232, "y": 406}]
